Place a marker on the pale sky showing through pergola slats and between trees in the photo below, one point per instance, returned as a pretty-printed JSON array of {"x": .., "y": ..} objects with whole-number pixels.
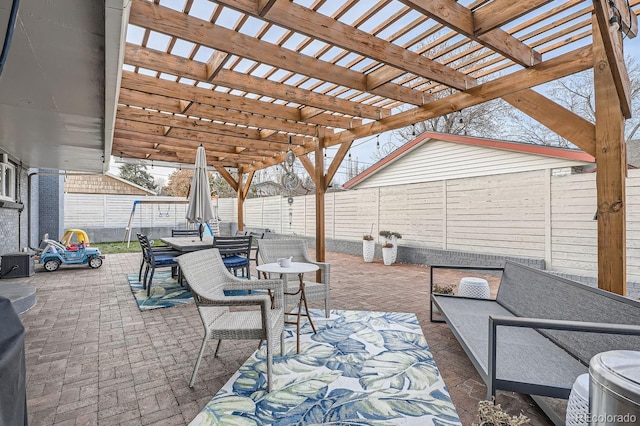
[{"x": 363, "y": 150}]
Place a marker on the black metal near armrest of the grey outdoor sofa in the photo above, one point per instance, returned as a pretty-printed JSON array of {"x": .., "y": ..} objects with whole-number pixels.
[{"x": 548, "y": 324}]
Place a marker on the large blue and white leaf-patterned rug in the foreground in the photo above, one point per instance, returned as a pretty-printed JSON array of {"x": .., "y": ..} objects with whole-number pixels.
[{"x": 361, "y": 368}]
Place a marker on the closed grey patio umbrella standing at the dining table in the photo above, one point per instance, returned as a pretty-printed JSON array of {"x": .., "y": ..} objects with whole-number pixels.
[{"x": 199, "y": 209}]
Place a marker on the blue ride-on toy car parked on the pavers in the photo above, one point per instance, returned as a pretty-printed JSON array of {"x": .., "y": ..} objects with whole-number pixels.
[{"x": 55, "y": 254}]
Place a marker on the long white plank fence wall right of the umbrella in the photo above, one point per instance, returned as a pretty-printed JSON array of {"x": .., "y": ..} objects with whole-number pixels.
[{"x": 529, "y": 214}]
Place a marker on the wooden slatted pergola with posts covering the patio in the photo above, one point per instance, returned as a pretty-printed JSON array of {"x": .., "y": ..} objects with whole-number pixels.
[{"x": 252, "y": 79}]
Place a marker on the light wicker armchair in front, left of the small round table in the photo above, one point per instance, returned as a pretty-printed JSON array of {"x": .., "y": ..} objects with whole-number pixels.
[{"x": 209, "y": 278}]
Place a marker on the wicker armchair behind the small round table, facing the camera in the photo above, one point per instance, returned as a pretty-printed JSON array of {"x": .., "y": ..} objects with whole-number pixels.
[{"x": 272, "y": 249}]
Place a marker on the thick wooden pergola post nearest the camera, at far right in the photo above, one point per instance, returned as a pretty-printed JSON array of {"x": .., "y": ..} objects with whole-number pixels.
[{"x": 611, "y": 164}]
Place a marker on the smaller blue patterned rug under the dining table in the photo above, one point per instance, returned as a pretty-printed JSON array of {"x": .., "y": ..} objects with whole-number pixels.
[{"x": 165, "y": 292}]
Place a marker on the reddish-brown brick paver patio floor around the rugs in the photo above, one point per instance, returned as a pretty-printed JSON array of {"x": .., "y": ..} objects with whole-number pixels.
[{"x": 94, "y": 358}]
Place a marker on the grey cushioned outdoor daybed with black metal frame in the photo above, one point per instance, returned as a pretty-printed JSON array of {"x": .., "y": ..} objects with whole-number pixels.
[{"x": 540, "y": 332}]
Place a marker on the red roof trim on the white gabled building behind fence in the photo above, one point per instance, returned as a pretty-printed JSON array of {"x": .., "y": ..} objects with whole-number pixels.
[{"x": 549, "y": 151}]
